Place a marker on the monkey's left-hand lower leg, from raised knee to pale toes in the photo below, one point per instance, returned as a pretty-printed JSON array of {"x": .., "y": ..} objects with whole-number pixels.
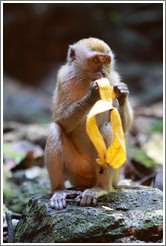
[{"x": 54, "y": 160}]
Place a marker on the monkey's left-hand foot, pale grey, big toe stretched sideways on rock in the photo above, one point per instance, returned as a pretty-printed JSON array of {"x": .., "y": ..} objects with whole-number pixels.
[{"x": 58, "y": 200}]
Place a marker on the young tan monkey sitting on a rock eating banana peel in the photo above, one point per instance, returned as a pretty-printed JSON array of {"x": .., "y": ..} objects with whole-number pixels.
[{"x": 69, "y": 153}]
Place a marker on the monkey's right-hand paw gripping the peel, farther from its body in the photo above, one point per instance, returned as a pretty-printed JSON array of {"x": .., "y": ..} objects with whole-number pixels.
[{"x": 122, "y": 92}]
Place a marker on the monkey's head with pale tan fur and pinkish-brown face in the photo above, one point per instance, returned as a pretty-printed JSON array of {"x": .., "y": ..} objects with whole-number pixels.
[{"x": 90, "y": 58}]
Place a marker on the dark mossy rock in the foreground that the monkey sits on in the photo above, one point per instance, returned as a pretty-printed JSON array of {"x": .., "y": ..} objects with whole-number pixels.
[{"x": 135, "y": 216}]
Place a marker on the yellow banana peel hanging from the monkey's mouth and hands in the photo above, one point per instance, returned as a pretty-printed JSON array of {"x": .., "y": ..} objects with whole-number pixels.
[{"x": 115, "y": 155}]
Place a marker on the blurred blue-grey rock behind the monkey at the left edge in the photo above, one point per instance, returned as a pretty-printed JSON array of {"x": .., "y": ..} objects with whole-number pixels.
[{"x": 25, "y": 104}]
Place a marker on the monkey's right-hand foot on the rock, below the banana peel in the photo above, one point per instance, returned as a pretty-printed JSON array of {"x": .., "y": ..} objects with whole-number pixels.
[{"x": 90, "y": 196}]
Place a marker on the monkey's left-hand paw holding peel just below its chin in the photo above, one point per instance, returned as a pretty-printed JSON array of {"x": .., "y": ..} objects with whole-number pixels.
[{"x": 93, "y": 93}]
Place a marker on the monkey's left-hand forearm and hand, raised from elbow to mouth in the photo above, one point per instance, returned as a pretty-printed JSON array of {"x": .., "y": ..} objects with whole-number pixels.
[{"x": 69, "y": 117}]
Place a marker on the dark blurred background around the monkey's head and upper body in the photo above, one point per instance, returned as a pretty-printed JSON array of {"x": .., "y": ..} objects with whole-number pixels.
[{"x": 36, "y": 38}]
